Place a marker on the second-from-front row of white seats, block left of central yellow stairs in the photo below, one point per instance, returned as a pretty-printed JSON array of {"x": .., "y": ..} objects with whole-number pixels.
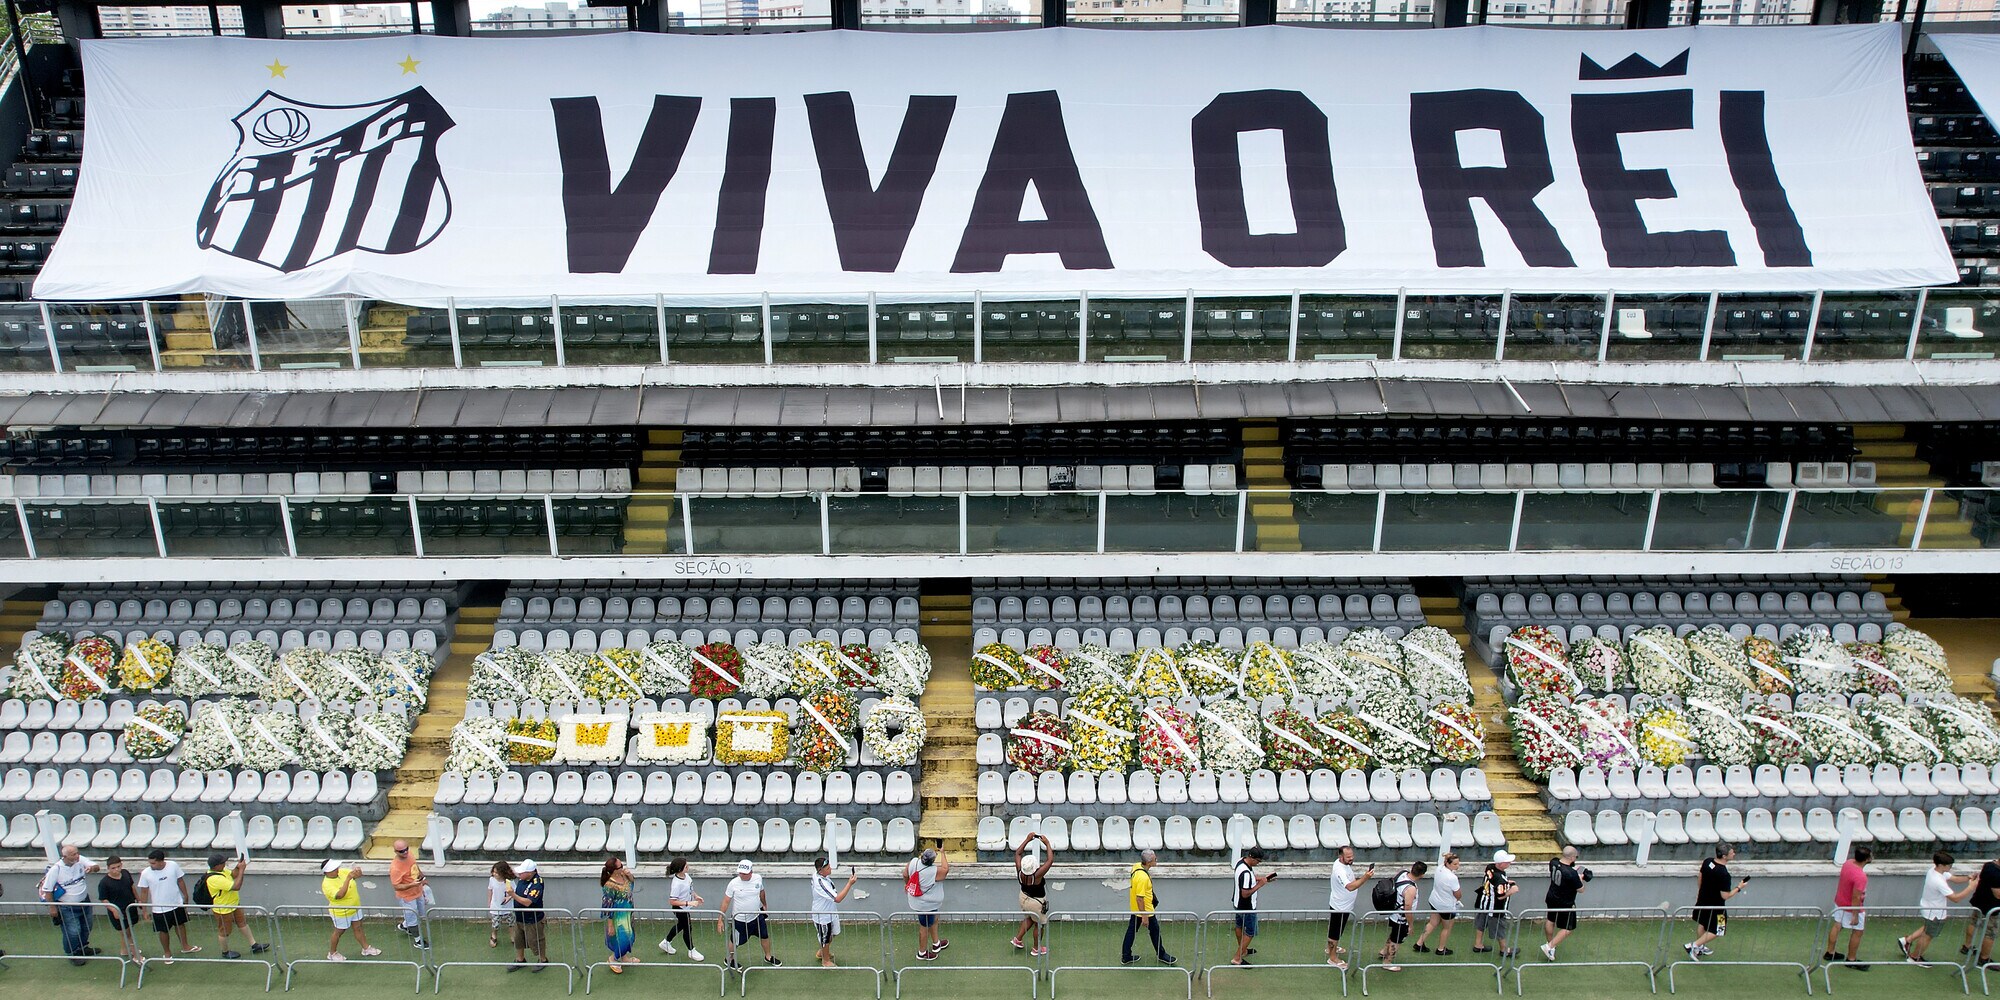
[{"x": 867, "y": 787}]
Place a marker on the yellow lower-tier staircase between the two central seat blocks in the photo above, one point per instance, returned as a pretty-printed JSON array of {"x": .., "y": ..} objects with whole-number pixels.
[{"x": 951, "y": 773}]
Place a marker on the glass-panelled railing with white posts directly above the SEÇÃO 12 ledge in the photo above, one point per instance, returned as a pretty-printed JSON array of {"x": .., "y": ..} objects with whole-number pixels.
[{"x": 1603, "y": 519}]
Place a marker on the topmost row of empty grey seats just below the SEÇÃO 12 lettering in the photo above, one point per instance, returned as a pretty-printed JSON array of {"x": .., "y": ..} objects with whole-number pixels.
[{"x": 697, "y": 609}]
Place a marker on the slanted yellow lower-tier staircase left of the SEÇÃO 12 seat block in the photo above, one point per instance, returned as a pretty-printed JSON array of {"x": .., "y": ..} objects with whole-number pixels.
[{"x": 417, "y": 783}]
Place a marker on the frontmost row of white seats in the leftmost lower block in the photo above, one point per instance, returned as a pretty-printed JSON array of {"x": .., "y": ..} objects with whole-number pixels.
[{"x": 137, "y": 835}]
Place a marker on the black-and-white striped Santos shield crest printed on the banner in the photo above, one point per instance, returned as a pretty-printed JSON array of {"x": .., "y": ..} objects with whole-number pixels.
[{"x": 315, "y": 181}]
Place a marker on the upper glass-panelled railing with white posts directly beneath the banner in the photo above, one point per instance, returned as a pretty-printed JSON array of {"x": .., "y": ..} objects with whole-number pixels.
[{"x": 973, "y": 329}]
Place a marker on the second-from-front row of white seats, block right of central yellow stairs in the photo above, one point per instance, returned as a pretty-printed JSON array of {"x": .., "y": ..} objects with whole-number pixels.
[{"x": 1231, "y": 787}]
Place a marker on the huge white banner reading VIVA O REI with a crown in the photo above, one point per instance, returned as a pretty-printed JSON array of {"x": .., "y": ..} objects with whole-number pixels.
[{"x": 1047, "y": 163}]
